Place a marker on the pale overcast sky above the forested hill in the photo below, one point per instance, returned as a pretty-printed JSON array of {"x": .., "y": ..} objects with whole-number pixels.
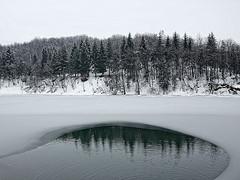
[{"x": 24, "y": 20}]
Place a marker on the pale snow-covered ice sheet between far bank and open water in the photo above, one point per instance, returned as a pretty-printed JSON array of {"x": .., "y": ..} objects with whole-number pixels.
[{"x": 25, "y": 119}]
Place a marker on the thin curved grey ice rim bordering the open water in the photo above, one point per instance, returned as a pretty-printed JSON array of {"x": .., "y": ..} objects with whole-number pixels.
[{"x": 51, "y": 134}]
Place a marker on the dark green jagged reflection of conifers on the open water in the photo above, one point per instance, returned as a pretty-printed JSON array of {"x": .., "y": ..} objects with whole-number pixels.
[{"x": 148, "y": 140}]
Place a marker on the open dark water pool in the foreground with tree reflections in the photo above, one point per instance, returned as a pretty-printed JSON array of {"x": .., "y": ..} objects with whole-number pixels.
[{"x": 117, "y": 152}]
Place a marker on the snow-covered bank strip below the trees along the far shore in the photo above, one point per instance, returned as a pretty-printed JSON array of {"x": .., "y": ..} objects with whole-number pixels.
[{"x": 106, "y": 86}]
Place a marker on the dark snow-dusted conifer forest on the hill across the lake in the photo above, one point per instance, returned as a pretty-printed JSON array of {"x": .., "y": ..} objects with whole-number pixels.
[{"x": 154, "y": 59}]
